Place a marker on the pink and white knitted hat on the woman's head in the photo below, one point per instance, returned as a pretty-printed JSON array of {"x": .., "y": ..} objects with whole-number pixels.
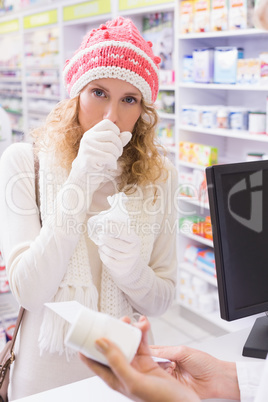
[{"x": 114, "y": 50}]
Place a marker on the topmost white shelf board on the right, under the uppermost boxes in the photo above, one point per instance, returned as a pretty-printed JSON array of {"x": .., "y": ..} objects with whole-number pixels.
[{"x": 223, "y": 34}]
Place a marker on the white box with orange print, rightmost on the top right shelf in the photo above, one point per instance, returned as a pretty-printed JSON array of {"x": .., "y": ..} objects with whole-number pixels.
[{"x": 241, "y": 14}]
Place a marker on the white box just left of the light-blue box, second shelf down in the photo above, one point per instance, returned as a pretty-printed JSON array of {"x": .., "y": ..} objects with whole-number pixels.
[{"x": 203, "y": 60}]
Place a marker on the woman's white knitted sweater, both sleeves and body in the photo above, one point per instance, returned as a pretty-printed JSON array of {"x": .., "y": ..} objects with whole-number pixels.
[{"x": 37, "y": 262}]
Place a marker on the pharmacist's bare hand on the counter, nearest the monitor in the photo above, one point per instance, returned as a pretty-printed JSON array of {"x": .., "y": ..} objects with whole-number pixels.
[{"x": 207, "y": 376}]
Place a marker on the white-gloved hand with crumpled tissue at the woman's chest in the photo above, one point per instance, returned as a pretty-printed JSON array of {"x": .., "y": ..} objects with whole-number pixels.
[{"x": 119, "y": 245}]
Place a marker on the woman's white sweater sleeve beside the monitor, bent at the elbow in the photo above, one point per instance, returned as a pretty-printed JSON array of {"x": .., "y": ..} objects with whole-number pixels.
[{"x": 151, "y": 288}]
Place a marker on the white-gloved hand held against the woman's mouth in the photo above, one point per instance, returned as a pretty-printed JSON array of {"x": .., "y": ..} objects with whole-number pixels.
[{"x": 99, "y": 150}]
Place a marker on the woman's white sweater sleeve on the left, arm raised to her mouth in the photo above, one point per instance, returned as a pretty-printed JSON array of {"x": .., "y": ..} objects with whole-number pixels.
[{"x": 36, "y": 258}]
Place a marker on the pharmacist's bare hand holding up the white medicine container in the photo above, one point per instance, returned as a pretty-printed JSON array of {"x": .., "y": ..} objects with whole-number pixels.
[{"x": 143, "y": 379}]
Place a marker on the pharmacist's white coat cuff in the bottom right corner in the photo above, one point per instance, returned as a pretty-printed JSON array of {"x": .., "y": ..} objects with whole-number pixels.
[{"x": 249, "y": 374}]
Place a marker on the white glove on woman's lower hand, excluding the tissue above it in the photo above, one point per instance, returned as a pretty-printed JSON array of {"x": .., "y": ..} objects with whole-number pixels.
[{"x": 119, "y": 248}]
